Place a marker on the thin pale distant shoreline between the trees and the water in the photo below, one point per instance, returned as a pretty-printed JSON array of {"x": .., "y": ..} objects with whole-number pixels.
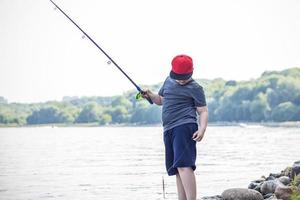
[{"x": 214, "y": 124}]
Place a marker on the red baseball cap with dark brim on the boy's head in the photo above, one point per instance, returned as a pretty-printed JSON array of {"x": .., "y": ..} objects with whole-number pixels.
[{"x": 182, "y": 67}]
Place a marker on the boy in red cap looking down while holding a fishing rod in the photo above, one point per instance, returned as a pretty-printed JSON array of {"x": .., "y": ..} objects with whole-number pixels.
[{"x": 182, "y": 98}]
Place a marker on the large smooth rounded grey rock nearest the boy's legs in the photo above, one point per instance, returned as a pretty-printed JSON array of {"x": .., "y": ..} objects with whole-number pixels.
[{"x": 241, "y": 194}]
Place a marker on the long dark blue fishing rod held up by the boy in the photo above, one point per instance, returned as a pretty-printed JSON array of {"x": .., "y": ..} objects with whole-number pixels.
[{"x": 140, "y": 91}]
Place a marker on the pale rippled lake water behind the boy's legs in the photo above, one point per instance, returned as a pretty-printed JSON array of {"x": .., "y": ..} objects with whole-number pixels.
[{"x": 127, "y": 163}]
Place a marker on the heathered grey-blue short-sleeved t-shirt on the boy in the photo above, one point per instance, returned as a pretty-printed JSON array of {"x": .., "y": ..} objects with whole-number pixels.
[{"x": 180, "y": 102}]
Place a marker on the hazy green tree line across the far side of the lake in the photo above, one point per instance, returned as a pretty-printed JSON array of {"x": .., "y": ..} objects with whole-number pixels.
[{"x": 273, "y": 97}]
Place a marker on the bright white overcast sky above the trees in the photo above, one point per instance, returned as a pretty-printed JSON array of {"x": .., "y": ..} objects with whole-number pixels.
[{"x": 43, "y": 56}]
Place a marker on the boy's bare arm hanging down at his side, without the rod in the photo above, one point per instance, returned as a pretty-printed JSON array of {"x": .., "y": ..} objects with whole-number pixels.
[{"x": 203, "y": 120}]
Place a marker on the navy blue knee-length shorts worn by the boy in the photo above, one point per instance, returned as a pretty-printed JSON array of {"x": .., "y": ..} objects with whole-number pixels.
[{"x": 180, "y": 148}]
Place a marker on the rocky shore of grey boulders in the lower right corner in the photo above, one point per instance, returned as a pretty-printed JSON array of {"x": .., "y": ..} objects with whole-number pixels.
[{"x": 284, "y": 185}]
